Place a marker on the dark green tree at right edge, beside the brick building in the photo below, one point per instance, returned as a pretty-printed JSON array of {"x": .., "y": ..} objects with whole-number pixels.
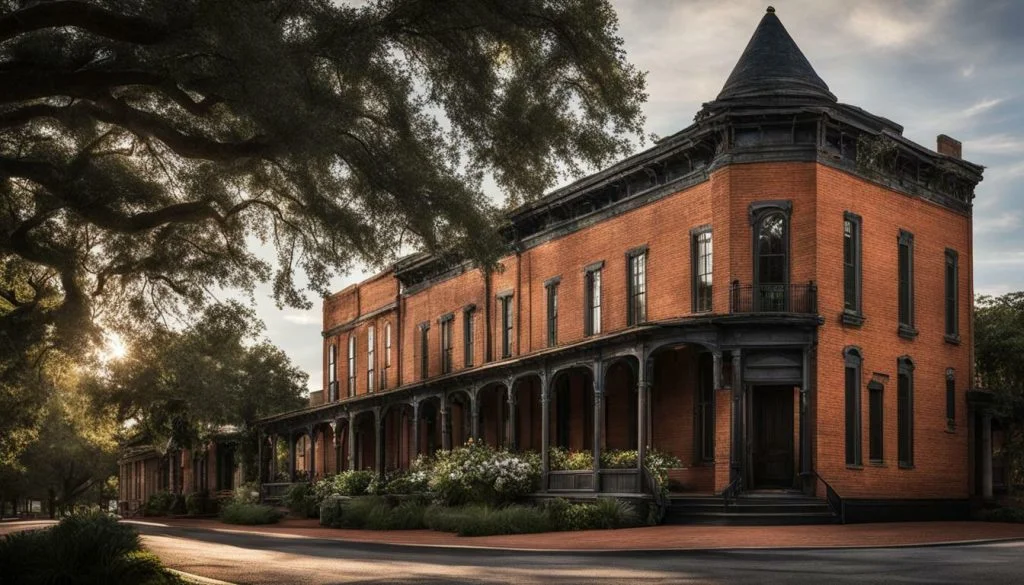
[{"x": 999, "y": 341}]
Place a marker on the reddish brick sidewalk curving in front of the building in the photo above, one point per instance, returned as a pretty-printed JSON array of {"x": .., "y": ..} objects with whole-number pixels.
[{"x": 652, "y": 538}]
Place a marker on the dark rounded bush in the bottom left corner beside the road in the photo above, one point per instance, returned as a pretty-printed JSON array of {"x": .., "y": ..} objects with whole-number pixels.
[{"x": 82, "y": 549}]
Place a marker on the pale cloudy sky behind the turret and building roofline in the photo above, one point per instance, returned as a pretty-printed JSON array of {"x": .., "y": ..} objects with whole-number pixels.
[{"x": 935, "y": 67}]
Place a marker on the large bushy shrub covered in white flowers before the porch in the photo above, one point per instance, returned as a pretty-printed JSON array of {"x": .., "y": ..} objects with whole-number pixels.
[{"x": 477, "y": 473}]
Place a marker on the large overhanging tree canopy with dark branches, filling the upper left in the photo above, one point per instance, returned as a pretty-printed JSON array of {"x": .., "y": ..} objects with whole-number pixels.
[{"x": 335, "y": 133}]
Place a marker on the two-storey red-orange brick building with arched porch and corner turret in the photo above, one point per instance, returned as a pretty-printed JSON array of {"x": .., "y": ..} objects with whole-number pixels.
[{"x": 780, "y": 296}]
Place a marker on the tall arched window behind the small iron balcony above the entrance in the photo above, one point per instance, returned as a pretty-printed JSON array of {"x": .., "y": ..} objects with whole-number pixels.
[{"x": 772, "y": 256}]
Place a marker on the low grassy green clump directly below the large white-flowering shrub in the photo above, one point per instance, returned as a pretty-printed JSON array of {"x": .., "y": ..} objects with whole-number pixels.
[{"x": 485, "y": 521}]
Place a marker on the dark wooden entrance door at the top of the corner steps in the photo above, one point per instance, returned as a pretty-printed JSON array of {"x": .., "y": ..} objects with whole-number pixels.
[{"x": 772, "y": 448}]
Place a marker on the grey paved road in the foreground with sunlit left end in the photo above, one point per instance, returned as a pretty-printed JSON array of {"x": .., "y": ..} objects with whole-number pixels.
[{"x": 260, "y": 560}]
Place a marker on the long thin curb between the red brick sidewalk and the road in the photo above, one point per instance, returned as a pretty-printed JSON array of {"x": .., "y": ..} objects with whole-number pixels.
[{"x": 617, "y": 552}]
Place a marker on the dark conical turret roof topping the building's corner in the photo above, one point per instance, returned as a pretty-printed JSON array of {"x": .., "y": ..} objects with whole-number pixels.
[{"x": 773, "y": 66}]
